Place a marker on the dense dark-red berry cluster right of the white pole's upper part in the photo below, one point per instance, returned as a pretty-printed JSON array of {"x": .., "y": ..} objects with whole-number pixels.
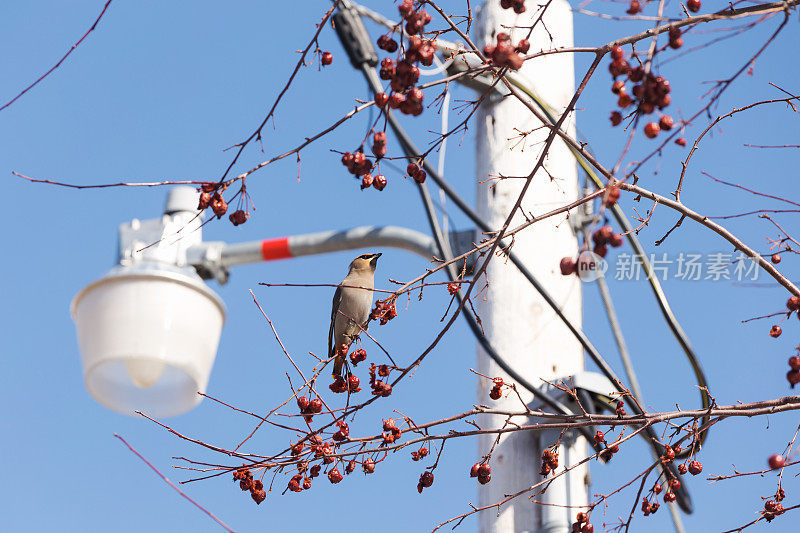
[{"x": 649, "y": 92}]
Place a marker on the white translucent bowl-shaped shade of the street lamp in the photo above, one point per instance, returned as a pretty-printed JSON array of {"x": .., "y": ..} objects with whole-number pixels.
[{"x": 148, "y": 336}]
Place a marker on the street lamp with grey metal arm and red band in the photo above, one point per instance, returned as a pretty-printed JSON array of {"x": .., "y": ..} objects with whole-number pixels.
[{"x": 148, "y": 331}]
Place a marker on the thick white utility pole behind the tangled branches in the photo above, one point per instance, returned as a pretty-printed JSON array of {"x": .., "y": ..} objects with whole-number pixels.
[{"x": 516, "y": 320}]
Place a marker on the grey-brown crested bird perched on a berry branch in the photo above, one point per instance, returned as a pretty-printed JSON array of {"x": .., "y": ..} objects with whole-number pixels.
[{"x": 351, "y": 306}]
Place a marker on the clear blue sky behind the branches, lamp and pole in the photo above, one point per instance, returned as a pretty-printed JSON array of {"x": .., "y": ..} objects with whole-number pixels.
[{"x": 158, "y": 91}]
